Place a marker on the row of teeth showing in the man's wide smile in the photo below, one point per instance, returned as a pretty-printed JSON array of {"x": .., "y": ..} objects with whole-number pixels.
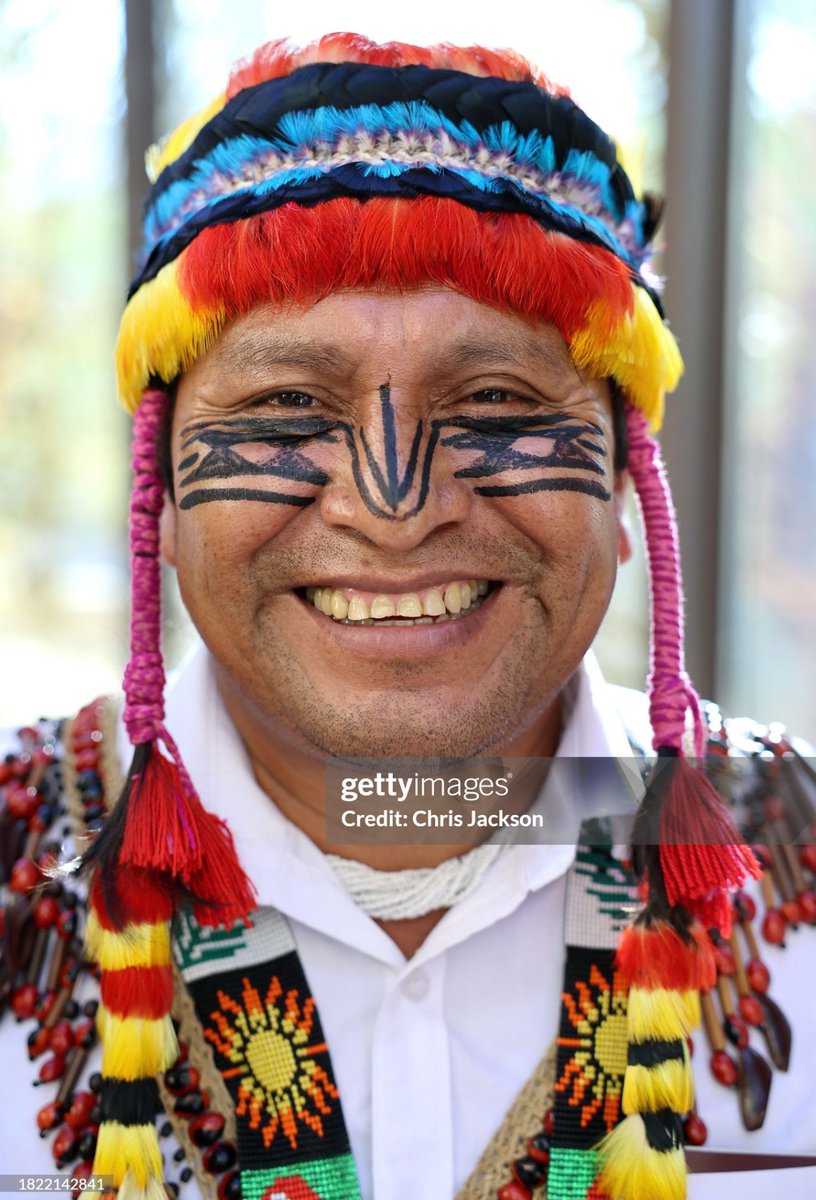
[{"x": 431, "y": 607}]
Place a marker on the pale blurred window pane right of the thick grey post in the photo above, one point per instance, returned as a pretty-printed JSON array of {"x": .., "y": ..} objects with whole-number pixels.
[{"x": 770, "y": 585}]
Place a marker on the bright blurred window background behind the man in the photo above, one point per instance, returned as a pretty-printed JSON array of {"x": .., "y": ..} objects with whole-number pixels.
[{"x": 715, "y": 103}]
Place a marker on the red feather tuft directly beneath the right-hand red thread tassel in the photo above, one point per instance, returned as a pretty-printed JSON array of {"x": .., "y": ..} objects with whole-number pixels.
[{"x": 657, "y": 957}]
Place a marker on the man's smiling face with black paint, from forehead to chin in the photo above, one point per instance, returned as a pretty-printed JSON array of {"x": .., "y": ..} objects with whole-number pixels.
[{"x": 389, "y": 451}]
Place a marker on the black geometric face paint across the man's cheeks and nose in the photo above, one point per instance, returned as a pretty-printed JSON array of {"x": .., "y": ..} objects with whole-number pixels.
[{"x": 395, "y": 484}]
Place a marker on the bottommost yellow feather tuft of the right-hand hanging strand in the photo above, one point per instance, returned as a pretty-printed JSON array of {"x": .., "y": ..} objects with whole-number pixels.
[{"x": 633, "y": 1171}]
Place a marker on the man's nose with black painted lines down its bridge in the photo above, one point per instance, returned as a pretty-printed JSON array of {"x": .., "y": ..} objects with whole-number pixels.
[{"x": 395, "y": 485}]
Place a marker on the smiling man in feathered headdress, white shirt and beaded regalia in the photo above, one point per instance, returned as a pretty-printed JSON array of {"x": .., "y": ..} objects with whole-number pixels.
[{"x": 393, "y": 355}]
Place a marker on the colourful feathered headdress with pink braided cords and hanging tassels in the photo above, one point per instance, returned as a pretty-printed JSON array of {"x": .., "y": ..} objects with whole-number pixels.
[{"x": 351, "y": 165}]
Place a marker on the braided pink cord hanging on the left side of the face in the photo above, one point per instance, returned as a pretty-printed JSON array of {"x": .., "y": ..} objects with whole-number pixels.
[{"x": 145, "y": 675}]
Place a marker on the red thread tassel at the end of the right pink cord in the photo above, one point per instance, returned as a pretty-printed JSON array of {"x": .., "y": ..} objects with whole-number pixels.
[{"x": 701, "y": 850}]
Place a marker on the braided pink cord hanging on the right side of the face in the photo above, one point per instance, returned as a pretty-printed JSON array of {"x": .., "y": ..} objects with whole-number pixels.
[{"x": 670, "y": 688}]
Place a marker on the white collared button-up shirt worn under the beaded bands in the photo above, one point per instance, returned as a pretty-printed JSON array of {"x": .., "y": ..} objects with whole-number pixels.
[{"x": 429, "y": 1054}]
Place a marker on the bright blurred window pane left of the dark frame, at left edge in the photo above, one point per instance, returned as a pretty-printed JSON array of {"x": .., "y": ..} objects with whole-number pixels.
[{"x": 63, "y": 449}]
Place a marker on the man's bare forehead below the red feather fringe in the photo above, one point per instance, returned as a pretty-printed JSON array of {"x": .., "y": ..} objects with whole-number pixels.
[{"x": 428, "y": 332}]
